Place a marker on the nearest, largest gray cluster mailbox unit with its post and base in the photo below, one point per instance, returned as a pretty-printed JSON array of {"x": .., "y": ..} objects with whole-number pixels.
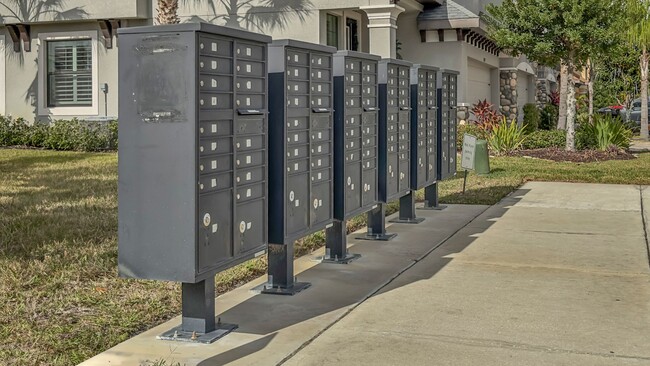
[{"x": 192, "y": 165}]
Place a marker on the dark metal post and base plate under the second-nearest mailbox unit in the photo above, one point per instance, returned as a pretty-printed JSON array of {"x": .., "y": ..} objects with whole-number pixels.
[{"x": 281, "y": 278}]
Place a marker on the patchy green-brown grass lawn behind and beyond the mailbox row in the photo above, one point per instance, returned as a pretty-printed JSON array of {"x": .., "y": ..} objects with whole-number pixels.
[{"x": 62, "y": 301}]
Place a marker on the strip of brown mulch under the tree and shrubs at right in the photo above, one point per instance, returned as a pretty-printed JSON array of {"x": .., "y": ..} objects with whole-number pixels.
[{"x": 584, "y": 156}]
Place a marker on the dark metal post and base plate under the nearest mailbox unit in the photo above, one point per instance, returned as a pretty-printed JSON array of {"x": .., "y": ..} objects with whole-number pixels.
[{"x": 198, "y": 324}]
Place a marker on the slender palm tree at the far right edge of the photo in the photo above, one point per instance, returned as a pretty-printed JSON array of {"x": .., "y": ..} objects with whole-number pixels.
[{"x": 639, "y": 36}]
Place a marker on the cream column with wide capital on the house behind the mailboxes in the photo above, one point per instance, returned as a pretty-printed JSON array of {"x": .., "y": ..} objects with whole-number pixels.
[{"x": 382, "y": 29}]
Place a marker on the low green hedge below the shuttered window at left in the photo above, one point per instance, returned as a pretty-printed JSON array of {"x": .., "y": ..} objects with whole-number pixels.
[{"x": 59, "y": 135}]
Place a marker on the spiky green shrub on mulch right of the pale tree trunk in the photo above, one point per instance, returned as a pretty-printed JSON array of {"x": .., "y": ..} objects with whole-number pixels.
[{"x": 604, "y": 132}]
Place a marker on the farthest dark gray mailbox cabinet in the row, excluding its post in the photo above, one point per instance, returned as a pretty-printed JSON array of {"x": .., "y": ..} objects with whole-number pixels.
[{"x": 447, "y": 102}]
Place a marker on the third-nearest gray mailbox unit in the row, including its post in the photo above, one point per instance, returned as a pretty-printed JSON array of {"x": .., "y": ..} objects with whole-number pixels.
[{"x": 355, "y": 145}]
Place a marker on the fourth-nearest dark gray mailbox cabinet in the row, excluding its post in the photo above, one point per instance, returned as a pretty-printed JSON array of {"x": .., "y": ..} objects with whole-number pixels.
[{"x": 394, "y": 129}]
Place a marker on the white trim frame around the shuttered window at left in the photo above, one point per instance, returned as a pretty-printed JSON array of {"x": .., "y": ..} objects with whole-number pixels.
[{"x": 43, "y": 108}]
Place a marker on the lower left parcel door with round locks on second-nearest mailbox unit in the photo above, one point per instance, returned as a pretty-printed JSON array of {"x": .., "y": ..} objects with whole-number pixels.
[{"x": 297, "y": 203}]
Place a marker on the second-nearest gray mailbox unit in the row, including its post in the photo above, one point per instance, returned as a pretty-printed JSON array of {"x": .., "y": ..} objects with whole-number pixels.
[{"x": 301, "y": 142}]
